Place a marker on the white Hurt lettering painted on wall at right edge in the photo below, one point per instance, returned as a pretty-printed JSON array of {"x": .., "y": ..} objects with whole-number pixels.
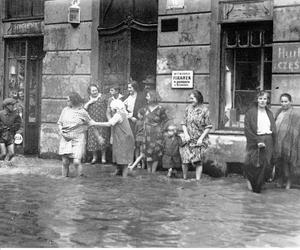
[{"x": 286, "y": 58}]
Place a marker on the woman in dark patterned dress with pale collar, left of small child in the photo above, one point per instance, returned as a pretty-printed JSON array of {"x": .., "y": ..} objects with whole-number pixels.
[{"x": 155, "y": 120}]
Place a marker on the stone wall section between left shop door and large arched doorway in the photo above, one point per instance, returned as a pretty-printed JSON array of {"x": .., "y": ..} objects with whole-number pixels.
[{"x": 66, "y": 66}]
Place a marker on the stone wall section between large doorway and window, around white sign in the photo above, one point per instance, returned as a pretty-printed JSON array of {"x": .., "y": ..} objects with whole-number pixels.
[{"x": 185, "y": 49}]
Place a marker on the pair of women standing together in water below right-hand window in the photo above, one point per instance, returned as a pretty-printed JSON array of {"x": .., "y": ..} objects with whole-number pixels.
[{"x": 273, "y": 145}]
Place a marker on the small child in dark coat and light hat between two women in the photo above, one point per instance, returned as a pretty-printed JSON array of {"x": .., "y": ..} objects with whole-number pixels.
[{"x": 171, "y": 156}]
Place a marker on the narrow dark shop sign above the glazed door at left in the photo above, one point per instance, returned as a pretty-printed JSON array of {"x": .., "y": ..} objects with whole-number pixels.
[{"x": 25, "y": 28}]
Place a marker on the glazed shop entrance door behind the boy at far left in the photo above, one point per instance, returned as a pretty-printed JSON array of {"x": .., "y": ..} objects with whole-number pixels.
[{"x": 22, "y": 82}]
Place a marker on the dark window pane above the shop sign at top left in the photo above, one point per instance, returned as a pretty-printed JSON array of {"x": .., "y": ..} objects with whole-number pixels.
[{"x": 24, "y": 8}]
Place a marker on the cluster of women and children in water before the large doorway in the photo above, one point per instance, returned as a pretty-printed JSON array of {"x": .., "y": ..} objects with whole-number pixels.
[{"x": 137, "y": 127}]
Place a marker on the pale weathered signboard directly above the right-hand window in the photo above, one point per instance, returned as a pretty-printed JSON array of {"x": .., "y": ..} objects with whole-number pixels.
[{"x": 245, "y": 11}]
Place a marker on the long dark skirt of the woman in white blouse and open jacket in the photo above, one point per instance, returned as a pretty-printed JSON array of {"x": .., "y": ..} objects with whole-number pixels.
[{"x": 258, "y": 167}]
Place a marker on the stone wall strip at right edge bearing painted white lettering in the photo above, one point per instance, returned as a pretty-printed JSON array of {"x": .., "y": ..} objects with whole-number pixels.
[{"x": 286, "y": 50}]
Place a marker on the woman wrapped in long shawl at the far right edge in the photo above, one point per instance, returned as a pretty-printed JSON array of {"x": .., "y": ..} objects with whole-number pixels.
[{"x": 288, "y": 138}]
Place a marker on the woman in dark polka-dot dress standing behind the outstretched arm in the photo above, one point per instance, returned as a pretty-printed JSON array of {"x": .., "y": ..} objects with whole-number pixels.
[{"x": 98, "y": 137}]
